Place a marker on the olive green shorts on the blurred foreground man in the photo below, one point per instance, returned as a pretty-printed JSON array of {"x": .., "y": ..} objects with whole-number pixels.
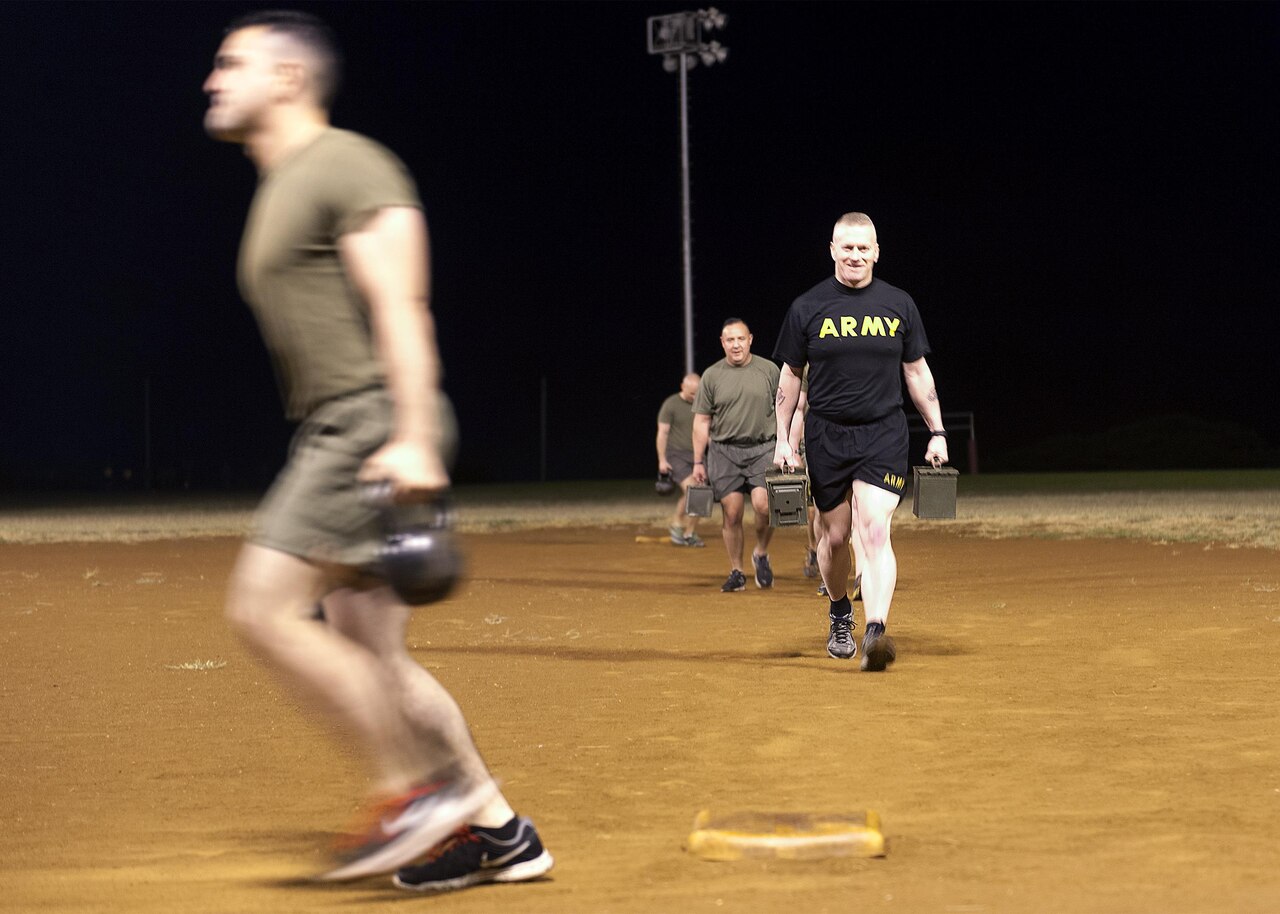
[{"x": 314, "y": 509}]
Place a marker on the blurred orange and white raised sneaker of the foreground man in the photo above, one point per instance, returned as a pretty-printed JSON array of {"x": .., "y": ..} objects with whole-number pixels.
[{"x": 399, "y": 830}]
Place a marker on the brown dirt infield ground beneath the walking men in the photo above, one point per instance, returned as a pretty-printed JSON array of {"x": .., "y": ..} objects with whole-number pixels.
[{"x": 1072, "y": 726}]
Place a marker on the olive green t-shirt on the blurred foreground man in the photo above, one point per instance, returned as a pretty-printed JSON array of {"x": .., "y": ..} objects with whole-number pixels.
[{"x": 313, "y": 321}]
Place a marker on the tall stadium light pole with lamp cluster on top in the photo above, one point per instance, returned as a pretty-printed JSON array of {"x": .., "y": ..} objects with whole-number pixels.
[{"x": 680, "y": 39}]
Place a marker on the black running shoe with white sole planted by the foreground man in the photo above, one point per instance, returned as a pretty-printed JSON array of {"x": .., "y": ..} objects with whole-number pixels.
[{"x": 473, "y": 856}]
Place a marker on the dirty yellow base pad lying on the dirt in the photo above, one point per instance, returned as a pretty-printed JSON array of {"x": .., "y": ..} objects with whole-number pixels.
[{"x": 788, "y": 837}]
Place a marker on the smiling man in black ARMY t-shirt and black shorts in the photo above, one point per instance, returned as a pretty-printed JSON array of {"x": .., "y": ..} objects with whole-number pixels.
[{"x": 854, "y": 332}]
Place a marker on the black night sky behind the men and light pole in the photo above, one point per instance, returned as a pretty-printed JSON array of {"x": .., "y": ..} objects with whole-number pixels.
[{"x": 1081, "y": 198}]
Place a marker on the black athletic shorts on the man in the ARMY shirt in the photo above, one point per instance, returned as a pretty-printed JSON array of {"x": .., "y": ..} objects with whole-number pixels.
[{"x": 836, "y": 455}]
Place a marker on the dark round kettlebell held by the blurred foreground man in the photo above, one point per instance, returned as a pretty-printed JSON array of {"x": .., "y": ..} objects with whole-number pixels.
[{"x": 420, "y": 557}]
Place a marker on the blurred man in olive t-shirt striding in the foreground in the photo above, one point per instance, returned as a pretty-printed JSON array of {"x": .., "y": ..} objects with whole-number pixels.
[{"x": 333, "y": 264}]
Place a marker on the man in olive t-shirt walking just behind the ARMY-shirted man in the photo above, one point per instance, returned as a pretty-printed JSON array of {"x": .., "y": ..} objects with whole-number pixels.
[{"x": 734, "y": 438}]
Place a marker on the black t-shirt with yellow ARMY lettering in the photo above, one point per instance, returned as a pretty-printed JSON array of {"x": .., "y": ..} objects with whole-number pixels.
[{"x": 854, "y": 342}]
